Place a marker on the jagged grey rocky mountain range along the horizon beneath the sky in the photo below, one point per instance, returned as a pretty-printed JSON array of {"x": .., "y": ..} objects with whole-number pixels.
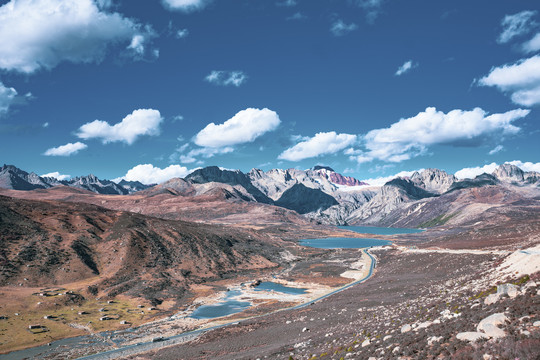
[{"x": 319, "y": 194}]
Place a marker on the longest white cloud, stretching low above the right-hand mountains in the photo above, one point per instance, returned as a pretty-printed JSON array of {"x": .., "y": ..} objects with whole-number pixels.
[{"x": 411, "y": 137}]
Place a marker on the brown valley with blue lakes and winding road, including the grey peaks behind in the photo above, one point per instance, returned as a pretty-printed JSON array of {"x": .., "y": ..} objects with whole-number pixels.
[{"x": 115, "y": 270}]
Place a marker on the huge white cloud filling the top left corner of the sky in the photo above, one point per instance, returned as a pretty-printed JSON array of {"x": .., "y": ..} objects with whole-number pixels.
[{"x": 40, "y": 34}]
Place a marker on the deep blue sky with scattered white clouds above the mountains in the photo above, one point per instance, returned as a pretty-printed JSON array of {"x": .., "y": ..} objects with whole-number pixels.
[{"x": 149, "y": 90}]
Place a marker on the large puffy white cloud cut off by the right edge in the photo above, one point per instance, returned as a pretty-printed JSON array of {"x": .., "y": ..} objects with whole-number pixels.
[{"x": 521, "y": 79}]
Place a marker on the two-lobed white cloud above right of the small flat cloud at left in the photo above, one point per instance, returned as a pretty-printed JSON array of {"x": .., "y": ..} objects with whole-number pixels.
[{"x": 139, "y": 122}]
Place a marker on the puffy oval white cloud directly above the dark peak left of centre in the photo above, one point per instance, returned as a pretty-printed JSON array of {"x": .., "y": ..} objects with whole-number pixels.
[{"x": 245, "y": 126}]
